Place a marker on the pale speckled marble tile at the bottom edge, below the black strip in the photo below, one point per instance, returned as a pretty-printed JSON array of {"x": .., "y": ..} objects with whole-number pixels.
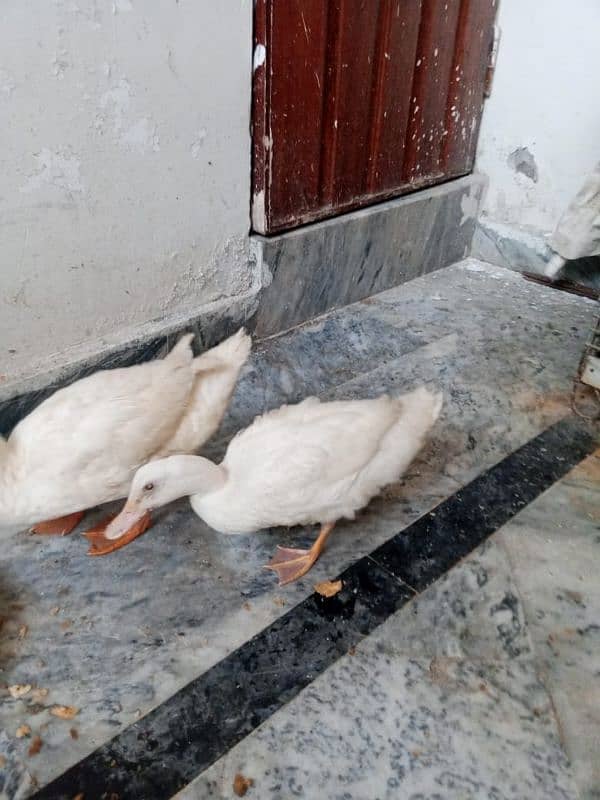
[{"x": 380, "y": 724}]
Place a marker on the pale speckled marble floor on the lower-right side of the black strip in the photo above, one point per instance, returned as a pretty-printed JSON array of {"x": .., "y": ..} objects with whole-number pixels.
[{"x": 485, "y": 686}]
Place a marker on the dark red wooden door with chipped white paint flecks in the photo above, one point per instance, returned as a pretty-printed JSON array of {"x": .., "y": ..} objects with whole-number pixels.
[{"x": 355, "y": 101}]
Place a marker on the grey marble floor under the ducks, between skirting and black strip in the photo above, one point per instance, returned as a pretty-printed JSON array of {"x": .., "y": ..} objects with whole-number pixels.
[{"x": 135, "y": 626}]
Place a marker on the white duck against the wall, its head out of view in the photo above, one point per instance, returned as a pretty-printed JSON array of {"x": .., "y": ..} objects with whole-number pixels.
[{"x": 82, "y": 446}]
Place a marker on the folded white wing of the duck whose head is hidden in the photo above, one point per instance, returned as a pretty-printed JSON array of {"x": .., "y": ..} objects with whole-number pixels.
[{"x": 107, "y": 423}]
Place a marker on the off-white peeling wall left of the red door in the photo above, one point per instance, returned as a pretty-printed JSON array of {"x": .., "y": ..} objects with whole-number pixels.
[{"x": 124, "y": 165}]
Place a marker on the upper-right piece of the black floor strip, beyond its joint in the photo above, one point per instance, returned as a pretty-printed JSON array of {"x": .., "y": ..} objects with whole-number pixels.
[{"x": 437, "y": 541}]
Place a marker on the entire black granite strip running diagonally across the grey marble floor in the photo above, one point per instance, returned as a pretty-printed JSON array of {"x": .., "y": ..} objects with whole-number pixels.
[{"x": 169, "y": 747}]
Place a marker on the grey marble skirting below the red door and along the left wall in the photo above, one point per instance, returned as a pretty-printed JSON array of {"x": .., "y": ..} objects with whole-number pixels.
[{"x": 302, "y": 274}]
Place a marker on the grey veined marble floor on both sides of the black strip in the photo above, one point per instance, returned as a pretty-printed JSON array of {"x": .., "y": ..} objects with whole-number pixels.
[{"x": 485, "y": 685}]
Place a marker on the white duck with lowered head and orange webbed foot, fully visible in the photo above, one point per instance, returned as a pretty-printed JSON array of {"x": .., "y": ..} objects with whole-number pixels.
[{"x": 302, "y": 464}]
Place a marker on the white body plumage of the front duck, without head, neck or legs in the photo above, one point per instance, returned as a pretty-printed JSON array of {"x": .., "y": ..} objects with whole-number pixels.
[{"x": 317, "y": 462}]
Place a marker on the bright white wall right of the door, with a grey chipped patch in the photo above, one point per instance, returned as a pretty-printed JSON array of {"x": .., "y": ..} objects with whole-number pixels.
[{"x": 545, "y": 97}]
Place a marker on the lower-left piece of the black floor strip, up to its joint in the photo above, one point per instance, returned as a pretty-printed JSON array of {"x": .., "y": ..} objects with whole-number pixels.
[{"x": 164, "y": 751}]
